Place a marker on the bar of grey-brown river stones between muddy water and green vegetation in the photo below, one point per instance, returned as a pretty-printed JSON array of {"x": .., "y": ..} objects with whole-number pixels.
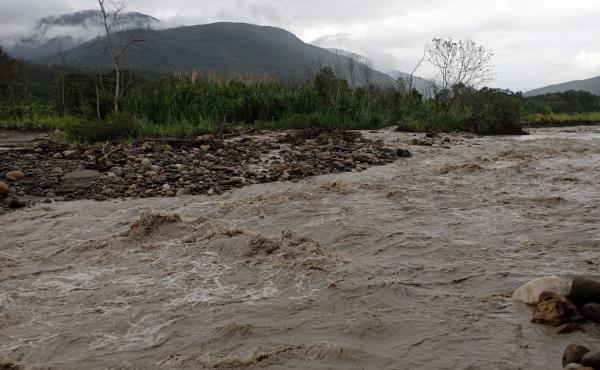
[{"x": 45, "y": 171}]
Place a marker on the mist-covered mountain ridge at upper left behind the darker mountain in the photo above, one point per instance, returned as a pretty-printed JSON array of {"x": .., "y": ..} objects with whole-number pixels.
[{"x": 56, "y": 34}]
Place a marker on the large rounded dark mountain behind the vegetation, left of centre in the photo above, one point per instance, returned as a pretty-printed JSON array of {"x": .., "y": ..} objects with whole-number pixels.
[{"x": 225, "y": 48}]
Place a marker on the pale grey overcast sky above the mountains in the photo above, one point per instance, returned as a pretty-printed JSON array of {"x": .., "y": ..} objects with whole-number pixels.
[{"x": 535, "y": 42}]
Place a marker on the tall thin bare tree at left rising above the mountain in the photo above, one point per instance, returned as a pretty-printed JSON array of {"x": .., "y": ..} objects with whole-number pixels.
[{"x": 112, "y": 20}]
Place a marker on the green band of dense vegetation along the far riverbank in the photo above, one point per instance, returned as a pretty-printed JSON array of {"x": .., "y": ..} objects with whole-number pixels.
[{"x": 79, "y": 102}]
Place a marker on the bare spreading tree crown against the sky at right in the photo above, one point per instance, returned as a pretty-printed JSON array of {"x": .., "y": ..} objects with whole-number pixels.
[{"x": 459, "y": 64}]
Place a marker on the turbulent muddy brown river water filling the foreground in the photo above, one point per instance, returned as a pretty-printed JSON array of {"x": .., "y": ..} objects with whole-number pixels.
[{"x": 406, "y": 266}]
